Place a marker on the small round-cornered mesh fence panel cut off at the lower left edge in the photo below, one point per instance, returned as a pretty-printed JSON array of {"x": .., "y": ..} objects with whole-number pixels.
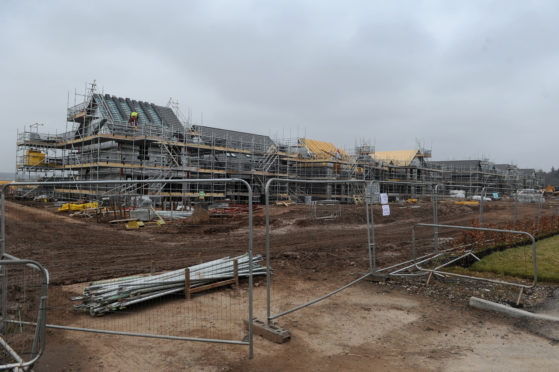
[{"x": 24, "y": 294}]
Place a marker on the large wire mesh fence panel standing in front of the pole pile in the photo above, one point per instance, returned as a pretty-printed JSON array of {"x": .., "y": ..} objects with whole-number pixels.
[{"x": 117, "y": 254}]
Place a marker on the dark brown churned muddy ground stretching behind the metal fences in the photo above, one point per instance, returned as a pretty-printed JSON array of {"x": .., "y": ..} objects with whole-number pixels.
[{"x": 77, "y": 250}]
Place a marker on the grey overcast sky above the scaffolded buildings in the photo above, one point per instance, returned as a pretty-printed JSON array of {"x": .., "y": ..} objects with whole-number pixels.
[{"x": 469, "y": 79}]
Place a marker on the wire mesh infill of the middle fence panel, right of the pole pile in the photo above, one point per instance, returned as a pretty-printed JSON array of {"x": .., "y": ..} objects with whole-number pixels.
[{"x": 303, "y": 248}]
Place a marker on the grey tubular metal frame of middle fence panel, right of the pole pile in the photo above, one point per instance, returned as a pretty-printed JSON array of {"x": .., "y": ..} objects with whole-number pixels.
[{"x": 269, "y": 315}]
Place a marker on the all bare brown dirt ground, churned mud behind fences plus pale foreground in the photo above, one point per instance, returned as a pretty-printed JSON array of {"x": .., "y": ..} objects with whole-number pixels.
[{"x": 371, "y": 326}]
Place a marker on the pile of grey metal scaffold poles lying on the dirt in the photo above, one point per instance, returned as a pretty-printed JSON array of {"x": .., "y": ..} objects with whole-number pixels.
[{"x": 117, "y": 294}]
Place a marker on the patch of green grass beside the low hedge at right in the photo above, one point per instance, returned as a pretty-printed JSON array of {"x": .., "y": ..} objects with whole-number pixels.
[{"x": 517, "y": 262}]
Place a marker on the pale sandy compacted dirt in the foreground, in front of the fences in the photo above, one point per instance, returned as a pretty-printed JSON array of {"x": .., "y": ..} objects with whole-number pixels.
[{"x": 367, "y": 327}]
